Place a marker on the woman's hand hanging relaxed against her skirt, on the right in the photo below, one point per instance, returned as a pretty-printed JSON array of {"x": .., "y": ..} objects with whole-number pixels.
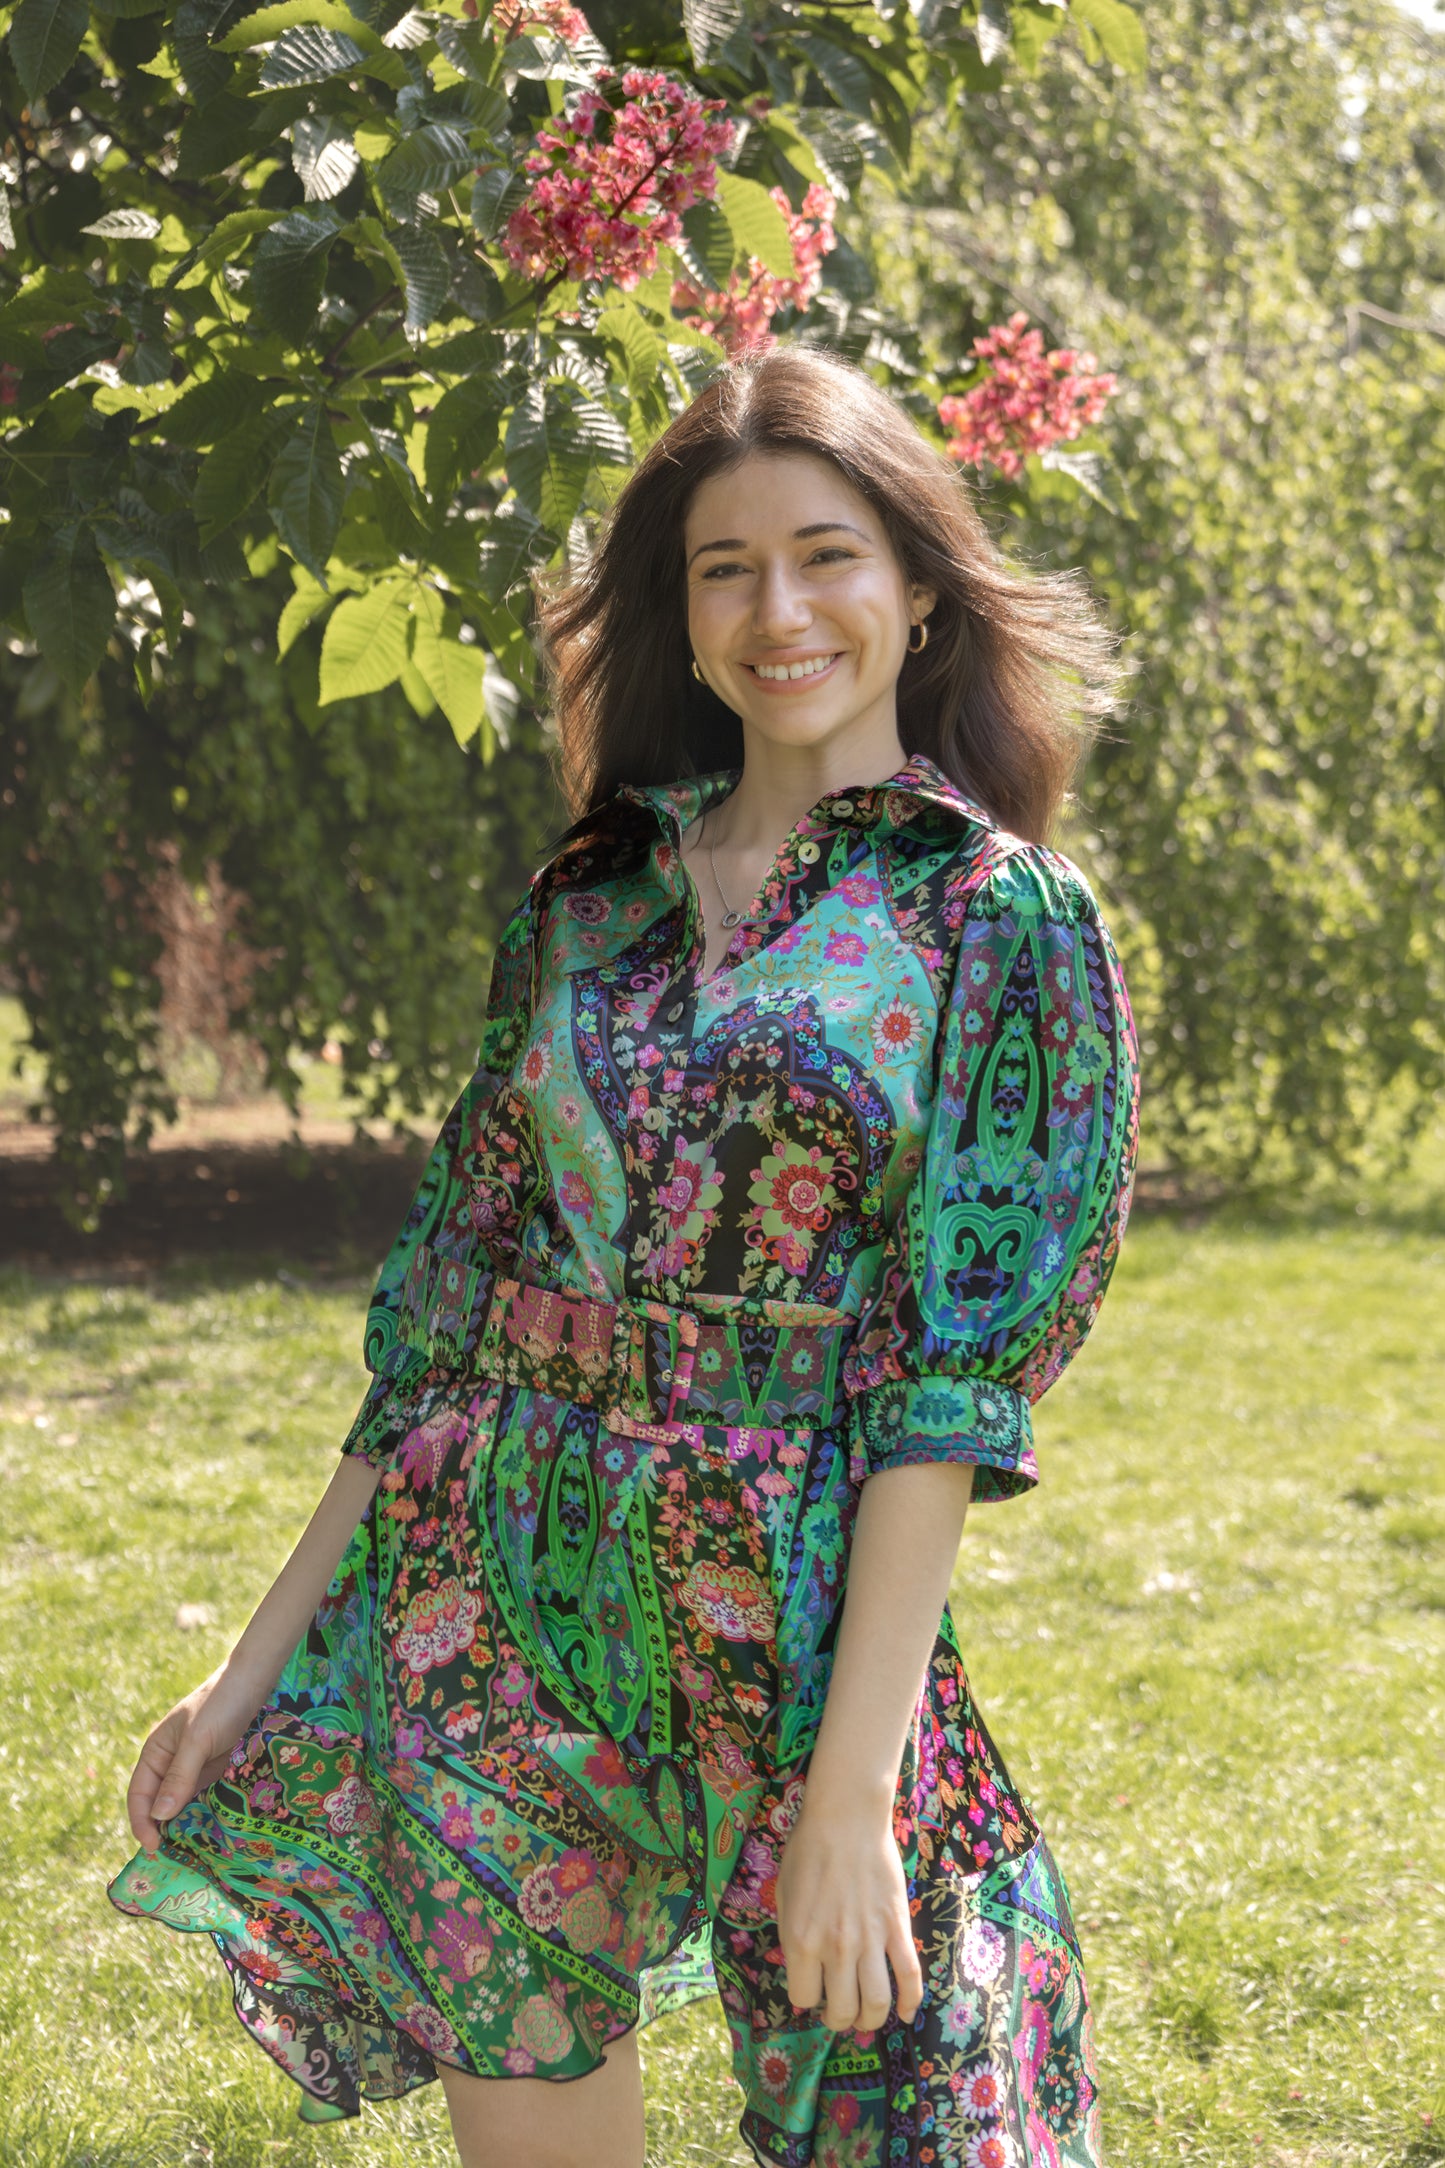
[{"x": 844, "y": 1918}]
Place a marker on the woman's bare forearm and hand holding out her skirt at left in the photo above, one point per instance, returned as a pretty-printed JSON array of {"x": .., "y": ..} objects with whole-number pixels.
[{"x": 192, "y": 1746}]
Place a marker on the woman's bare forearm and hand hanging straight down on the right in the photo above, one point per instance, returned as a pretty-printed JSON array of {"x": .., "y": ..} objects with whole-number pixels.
[{"x": 842, "y": 1892}]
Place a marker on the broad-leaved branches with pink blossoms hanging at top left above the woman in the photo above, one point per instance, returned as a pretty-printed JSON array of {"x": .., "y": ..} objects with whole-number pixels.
[{"x": 402, "y": 294}]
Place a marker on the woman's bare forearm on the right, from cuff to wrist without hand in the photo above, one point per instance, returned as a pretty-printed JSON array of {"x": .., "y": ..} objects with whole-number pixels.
[{"x": 898, "y": 1584}]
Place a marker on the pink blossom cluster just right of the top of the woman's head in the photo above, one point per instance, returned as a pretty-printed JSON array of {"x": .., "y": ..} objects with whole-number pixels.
[{"x": 1028, "y": 402}]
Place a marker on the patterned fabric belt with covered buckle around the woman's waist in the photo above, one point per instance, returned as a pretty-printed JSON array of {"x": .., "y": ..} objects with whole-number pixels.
[{"x": 649, "y": 1367}]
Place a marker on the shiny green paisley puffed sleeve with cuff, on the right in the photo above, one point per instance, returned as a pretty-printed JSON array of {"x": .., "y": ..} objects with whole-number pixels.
[{"x": 1013, "y": 1224}]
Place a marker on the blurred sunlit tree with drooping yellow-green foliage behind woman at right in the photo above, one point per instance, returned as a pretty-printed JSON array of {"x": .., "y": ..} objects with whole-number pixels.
[{"x": 1255, "y": 237}]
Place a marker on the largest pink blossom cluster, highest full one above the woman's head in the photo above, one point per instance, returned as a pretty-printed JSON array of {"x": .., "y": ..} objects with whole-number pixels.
[{"x": 612, "y": 188}]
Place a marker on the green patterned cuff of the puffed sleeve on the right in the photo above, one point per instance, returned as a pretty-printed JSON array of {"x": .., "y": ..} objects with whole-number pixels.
[{"x": 904, "y": 1421}]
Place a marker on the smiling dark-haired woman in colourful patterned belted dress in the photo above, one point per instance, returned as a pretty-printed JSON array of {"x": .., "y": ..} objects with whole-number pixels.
[{"x": 792, "y": 1174}]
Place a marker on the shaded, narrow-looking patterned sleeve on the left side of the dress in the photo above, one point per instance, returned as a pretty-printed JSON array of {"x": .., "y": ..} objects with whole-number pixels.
[{"x": 439, "y": 1215}]
